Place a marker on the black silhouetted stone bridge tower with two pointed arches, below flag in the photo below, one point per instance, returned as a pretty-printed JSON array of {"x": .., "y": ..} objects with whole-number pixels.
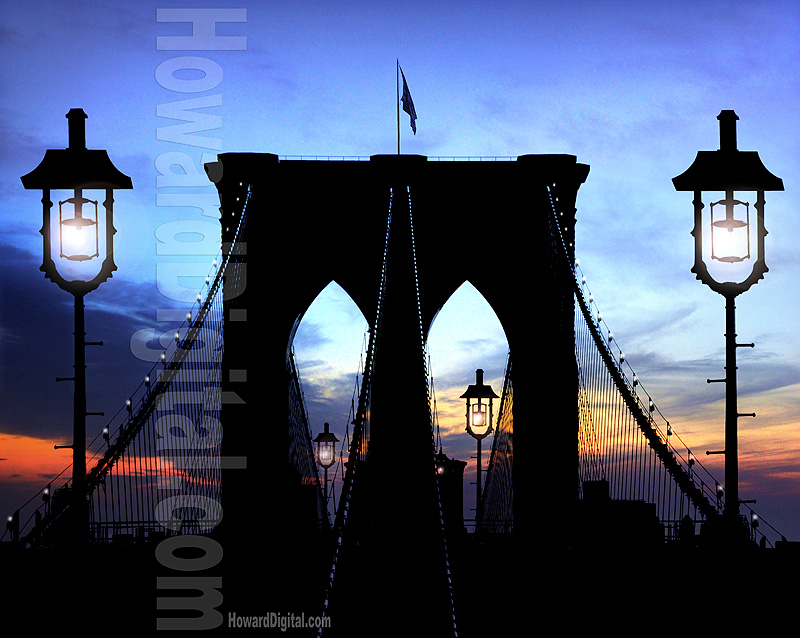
[{"x": 311, "y": 222}]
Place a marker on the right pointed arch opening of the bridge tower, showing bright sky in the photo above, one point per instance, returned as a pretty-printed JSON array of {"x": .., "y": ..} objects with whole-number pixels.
[{"x": 465, "y": 335}]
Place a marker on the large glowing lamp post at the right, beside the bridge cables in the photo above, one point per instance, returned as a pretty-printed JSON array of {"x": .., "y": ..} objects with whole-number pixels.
[{"x": 730, "y": 259}]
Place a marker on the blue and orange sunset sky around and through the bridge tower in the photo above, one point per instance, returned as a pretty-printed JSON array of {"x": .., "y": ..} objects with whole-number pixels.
[{"x": 630, "y": 88}]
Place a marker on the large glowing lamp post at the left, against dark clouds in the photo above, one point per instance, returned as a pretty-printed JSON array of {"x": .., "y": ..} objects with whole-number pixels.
[{"x": 83, "y": 237}]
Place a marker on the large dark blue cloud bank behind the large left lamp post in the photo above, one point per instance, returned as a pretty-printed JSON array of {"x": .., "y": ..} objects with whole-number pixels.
[{"x": 37, "y": 324}]
